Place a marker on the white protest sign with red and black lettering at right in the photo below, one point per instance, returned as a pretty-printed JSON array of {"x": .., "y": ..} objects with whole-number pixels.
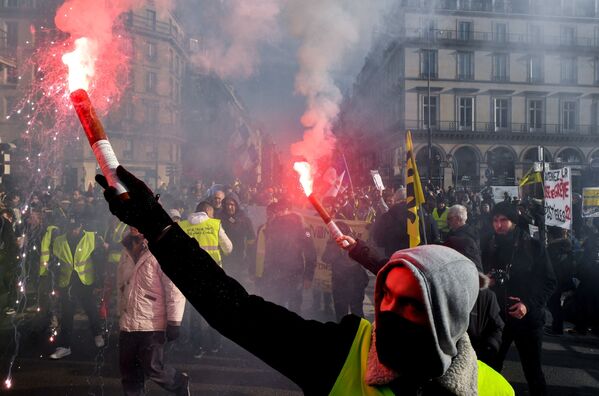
[{"x": 558, "y": 197}]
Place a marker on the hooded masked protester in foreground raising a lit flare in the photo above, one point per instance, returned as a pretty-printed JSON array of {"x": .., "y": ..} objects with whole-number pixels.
[{"x": 417, "y": 345}]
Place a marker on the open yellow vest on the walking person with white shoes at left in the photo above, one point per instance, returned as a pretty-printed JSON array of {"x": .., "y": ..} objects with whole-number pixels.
[{"x": 80, "y": 263}]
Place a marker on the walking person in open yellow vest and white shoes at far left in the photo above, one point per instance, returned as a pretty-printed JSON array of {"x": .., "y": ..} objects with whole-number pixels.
[{"x": 75, "y": 255}]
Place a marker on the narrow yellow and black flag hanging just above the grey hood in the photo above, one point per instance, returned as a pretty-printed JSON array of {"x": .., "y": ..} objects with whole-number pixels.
[{"x": 414, "y": 193}]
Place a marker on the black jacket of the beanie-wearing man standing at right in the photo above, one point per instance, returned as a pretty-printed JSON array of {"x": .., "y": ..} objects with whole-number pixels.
[{"x": 531, "y": 275}]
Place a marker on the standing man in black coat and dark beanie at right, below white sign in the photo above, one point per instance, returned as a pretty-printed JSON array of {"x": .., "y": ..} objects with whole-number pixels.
[{"x": 523, "y": 279}]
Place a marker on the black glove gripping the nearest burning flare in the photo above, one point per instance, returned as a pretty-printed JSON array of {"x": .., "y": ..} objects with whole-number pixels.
[{"x": 141, "y": 210}]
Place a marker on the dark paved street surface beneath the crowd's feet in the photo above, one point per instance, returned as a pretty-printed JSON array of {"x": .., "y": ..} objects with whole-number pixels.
[{"x": 571, "y": 367}]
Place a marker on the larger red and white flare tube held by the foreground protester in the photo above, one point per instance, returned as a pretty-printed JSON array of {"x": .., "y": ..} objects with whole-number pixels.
[{"x": 97, "y": 140}]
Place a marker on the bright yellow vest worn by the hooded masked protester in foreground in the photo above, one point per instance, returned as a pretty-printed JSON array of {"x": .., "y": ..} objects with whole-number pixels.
[{"x": 350, "y": 381}]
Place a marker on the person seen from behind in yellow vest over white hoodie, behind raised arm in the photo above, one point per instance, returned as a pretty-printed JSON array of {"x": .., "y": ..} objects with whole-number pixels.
[{"x": 201, "y": 226}]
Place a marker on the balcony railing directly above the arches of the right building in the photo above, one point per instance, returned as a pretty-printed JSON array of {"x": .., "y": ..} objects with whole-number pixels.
[{"x": 482, "y": 128}]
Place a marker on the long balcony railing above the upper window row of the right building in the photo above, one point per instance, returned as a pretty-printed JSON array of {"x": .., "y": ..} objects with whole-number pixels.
[{"x": 456, "y": 37}]
